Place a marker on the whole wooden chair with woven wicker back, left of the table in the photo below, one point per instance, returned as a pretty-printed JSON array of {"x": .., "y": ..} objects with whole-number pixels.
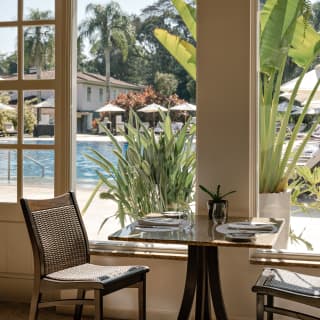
[{"x": 61, "y": 259}]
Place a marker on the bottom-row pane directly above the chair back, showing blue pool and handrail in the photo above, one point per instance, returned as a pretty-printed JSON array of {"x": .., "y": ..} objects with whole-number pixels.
[{"x": 38, "y": 174}]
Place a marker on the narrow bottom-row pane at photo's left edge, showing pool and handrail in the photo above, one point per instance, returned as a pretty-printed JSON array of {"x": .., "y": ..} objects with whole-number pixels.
[{"x": 8, "y": 175}]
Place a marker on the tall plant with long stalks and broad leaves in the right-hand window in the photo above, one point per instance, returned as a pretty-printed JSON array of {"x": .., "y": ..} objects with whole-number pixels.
[{"x": 284, "y": 34}]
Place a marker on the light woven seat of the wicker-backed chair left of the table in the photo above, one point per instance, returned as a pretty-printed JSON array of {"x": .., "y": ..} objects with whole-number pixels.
[{"x": 96, "y": 273}]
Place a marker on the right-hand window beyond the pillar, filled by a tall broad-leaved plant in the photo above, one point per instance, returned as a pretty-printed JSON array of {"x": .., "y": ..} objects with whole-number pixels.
[{"x": 288, "y": 120}]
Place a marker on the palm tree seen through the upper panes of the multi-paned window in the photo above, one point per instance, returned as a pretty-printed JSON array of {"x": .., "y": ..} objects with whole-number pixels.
[{"x": 39, "y": 43}]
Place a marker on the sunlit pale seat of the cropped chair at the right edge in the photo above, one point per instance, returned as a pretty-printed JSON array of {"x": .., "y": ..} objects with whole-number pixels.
[{"x": 293, "y": 282}]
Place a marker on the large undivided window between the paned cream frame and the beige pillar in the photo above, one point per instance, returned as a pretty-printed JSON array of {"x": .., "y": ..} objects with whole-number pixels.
[{"x": 134, "y": 70}]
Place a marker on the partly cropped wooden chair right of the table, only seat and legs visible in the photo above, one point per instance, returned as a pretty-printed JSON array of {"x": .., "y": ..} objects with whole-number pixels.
[{"x": 287, "y": 285}]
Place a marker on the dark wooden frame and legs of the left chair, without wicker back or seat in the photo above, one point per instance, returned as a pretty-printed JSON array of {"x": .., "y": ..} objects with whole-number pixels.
[{"x": 43, "y": 284}]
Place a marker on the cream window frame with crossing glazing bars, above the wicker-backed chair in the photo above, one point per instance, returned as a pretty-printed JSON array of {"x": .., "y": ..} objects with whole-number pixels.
[{"x": 63, "y": 23}]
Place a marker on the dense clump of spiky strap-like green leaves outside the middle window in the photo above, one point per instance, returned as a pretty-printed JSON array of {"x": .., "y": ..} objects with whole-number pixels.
[{"x": 154, "y": 173}]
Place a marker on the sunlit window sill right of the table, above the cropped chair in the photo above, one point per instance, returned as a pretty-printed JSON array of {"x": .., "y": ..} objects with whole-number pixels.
[{"x": 284, "y": 258}]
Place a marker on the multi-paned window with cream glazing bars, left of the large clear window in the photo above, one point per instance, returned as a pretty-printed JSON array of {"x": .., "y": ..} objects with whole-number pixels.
[{"x": 33, "y": 95}]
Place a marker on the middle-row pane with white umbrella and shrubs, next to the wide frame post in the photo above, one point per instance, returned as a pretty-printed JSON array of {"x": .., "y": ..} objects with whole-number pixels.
[{"x": 39, "y": 117}]
